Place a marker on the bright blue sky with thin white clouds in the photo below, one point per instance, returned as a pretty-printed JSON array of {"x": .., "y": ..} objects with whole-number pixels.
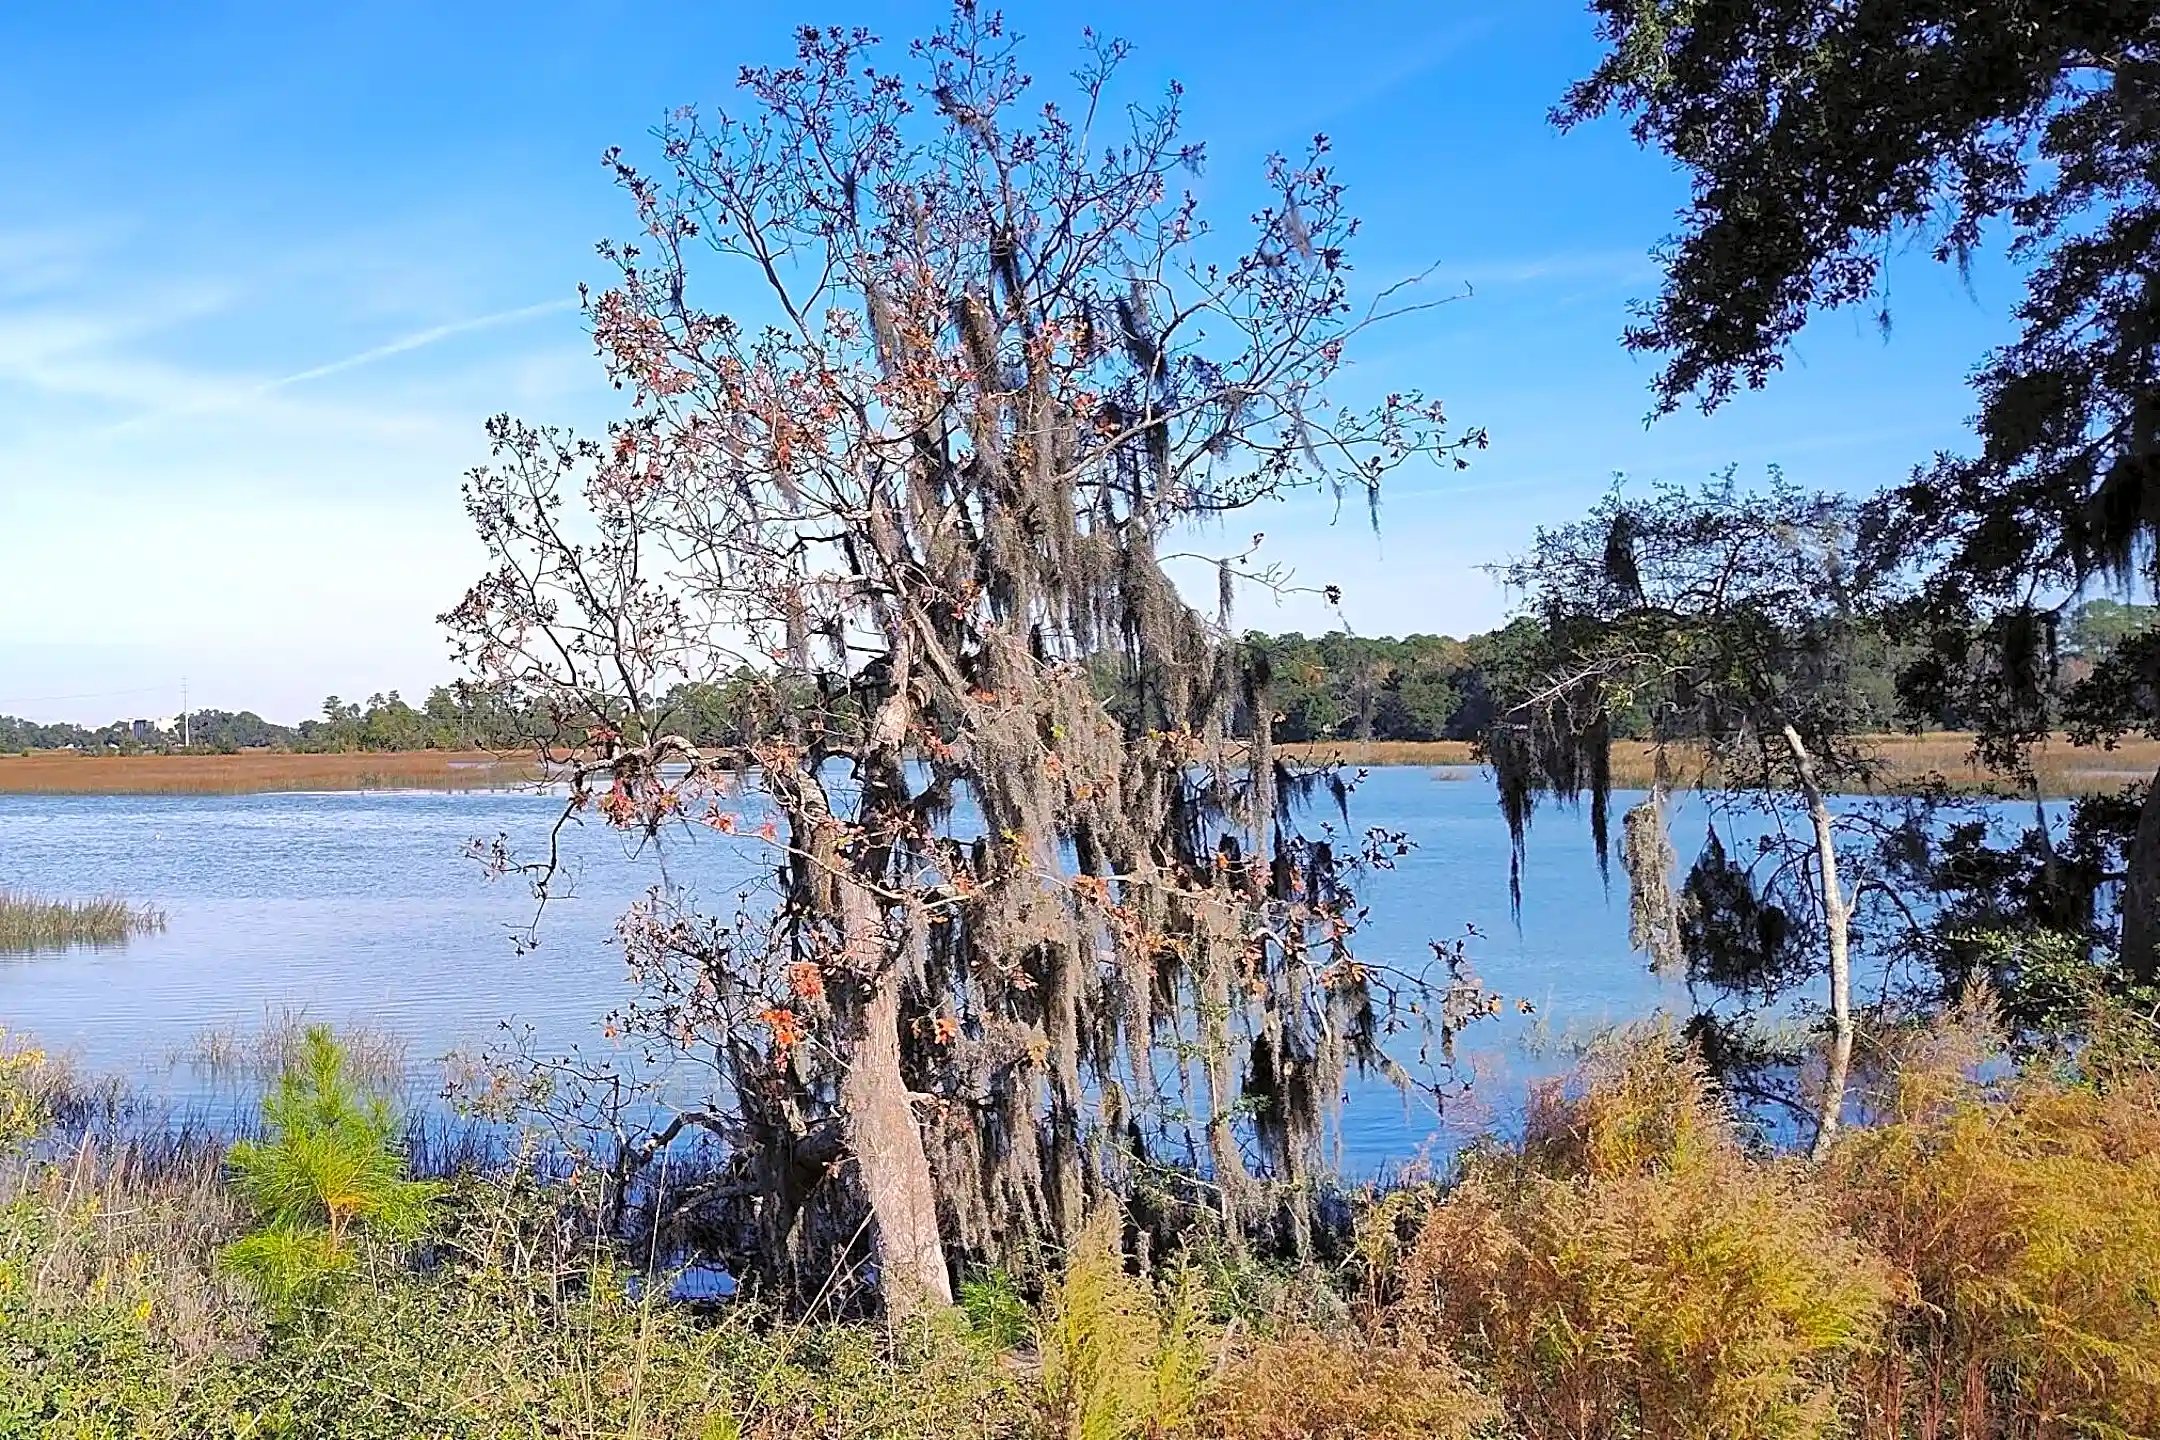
[{"x": 267, "y": 269}]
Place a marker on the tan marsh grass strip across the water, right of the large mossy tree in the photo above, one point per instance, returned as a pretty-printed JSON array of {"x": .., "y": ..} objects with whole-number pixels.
[{"x": 1908, "y": 761}]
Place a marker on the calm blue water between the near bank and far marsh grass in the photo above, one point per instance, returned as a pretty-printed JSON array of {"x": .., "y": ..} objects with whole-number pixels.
[{"x": 364, "y": 908}]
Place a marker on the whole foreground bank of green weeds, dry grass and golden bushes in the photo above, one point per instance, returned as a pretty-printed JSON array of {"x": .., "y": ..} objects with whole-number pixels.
[{"x": 1969, "y": 1260}]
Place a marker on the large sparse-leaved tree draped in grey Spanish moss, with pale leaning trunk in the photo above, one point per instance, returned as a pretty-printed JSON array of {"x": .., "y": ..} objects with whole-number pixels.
[{"x": 921, "y": 483}]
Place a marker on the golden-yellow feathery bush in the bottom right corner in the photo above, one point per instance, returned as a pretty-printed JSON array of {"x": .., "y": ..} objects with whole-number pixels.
[{"x": 2027, "y": 1219}]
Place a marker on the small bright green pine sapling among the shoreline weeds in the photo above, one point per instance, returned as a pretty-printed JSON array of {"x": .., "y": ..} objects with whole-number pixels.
[{"x": 329, "y": 1165}]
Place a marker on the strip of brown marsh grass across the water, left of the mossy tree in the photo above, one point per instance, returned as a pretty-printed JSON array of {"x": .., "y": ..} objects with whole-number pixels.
[{"x": 260, "y": 772}]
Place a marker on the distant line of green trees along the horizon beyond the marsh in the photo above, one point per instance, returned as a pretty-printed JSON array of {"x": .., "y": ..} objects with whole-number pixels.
[{"x": 1323, "y": 688}]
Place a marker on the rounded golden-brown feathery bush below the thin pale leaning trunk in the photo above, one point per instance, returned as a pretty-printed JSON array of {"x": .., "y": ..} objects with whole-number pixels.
[{"x": 1630, "y": 1271}]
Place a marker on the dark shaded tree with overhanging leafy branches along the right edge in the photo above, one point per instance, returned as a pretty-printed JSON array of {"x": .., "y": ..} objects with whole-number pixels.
[{"x": 1824, "y": 135}]
